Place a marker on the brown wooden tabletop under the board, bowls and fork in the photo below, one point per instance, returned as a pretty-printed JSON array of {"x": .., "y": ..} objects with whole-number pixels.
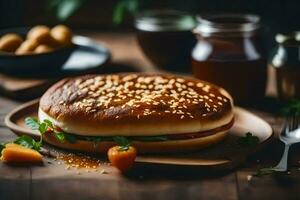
[{"x": 54, "y": 181}]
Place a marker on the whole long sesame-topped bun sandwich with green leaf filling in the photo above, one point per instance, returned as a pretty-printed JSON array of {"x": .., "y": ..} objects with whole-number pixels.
[{"x": 155, "y": 112}]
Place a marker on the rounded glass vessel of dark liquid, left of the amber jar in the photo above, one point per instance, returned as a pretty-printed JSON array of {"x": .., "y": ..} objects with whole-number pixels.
[{"x": 166, "y": 38}]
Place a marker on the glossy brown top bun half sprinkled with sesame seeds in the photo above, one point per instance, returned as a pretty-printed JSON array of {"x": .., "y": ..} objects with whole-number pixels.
[{"x": 135, "y": 104}]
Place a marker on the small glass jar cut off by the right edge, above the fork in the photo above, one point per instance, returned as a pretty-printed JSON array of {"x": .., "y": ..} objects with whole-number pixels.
[{"x": 286, "y": 62}]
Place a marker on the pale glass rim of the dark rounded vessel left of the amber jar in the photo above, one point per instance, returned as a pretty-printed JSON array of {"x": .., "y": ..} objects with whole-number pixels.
[{"x": 164, "y": 20}]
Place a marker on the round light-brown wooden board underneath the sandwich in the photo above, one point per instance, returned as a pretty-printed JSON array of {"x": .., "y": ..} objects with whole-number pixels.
[{"x": 225, "y": 155}]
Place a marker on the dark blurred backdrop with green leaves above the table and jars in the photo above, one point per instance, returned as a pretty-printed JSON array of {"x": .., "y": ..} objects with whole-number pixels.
[{"x": 277, "y": 15}]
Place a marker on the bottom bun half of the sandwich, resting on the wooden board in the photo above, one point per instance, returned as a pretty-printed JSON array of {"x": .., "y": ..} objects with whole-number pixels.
[{"x": 142, "y": 147}]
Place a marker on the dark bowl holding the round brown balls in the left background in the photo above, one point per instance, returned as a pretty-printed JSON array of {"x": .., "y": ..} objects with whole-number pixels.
[{"x": 30, "y": 64}]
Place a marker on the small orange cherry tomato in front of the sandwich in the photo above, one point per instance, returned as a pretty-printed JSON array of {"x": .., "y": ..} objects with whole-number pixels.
[{"x": 121, "y": 158}]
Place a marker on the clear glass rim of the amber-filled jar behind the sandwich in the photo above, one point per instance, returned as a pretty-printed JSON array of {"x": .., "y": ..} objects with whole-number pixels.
[{"x": 227, "y": 24}]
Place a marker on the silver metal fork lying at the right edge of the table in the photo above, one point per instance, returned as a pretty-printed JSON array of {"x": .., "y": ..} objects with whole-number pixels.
[{"x": 289, "y": 135}]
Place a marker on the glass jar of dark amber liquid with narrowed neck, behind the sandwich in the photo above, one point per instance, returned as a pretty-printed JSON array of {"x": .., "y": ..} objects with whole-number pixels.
[{"x": 229, "y": 54}]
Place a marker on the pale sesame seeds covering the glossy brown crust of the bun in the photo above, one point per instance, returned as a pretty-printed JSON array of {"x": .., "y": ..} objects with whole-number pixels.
[{"x": 146, "y": 94}]
